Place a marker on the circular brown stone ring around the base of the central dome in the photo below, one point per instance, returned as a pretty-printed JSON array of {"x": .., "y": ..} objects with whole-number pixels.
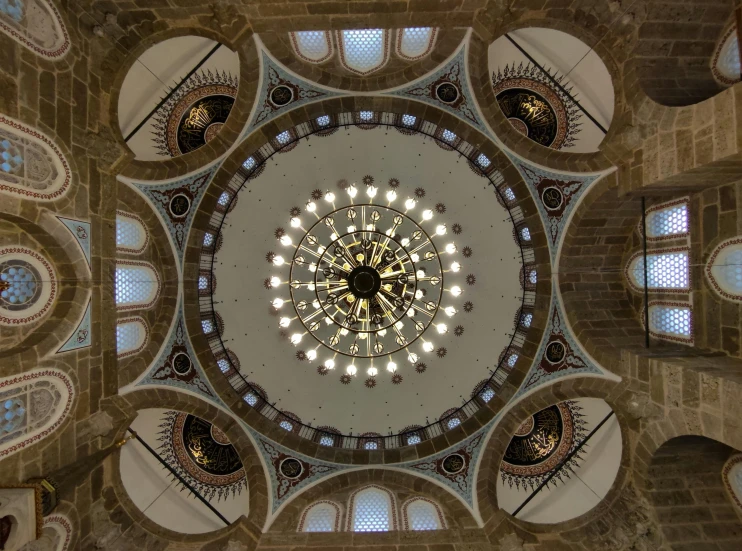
[{"x": 288, "y": 121}]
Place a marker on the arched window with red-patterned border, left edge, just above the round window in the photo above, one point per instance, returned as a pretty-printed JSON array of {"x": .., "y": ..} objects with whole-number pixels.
[{"x": 31, "y": 165}]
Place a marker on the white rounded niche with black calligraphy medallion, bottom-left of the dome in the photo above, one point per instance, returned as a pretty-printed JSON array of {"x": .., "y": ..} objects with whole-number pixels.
[{"x": 201, "y": 454}]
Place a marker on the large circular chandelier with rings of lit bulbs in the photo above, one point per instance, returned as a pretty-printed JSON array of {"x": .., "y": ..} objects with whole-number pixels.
[{"x": 367, "y": 285}]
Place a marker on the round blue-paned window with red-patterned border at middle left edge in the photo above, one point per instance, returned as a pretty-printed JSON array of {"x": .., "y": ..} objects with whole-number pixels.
[{"x": 27, "y": 286}]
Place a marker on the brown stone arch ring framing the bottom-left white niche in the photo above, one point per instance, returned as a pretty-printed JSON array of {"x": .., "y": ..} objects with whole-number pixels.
[{"x": 255, "y": 474}]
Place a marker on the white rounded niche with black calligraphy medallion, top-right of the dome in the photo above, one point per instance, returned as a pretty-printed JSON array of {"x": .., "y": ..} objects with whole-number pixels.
[{"x": 553, "y": 88}]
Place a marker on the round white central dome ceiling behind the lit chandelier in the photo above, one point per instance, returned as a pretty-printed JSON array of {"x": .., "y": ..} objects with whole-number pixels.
[{"x": 446, "y": 320}]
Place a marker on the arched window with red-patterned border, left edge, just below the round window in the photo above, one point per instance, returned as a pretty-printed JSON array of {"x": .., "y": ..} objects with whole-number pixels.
[{"x": 32, "y": 406}]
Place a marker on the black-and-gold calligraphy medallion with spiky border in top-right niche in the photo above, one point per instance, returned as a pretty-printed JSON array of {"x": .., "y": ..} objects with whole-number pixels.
[{"x": 536, "y": 107}]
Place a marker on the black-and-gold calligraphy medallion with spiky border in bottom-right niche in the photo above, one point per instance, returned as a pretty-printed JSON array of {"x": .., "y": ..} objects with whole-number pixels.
[{"x": 541, "y": 443}]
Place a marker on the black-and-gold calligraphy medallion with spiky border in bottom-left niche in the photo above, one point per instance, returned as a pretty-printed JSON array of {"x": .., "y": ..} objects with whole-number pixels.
[{"x": 202, "y": 455}]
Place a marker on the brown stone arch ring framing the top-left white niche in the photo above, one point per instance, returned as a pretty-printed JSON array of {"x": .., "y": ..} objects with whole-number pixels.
[{"x": 249, "y": 77}]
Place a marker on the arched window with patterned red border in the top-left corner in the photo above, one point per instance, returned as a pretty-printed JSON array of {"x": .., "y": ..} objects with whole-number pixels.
[{"x": 37, "y": 25}]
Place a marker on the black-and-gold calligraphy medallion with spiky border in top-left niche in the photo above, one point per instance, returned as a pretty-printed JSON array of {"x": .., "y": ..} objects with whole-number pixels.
[{"x": 195, "y": 113}]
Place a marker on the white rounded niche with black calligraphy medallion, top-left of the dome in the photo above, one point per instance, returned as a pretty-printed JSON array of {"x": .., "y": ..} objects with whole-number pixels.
[{"x": 193, "y": 114}]
